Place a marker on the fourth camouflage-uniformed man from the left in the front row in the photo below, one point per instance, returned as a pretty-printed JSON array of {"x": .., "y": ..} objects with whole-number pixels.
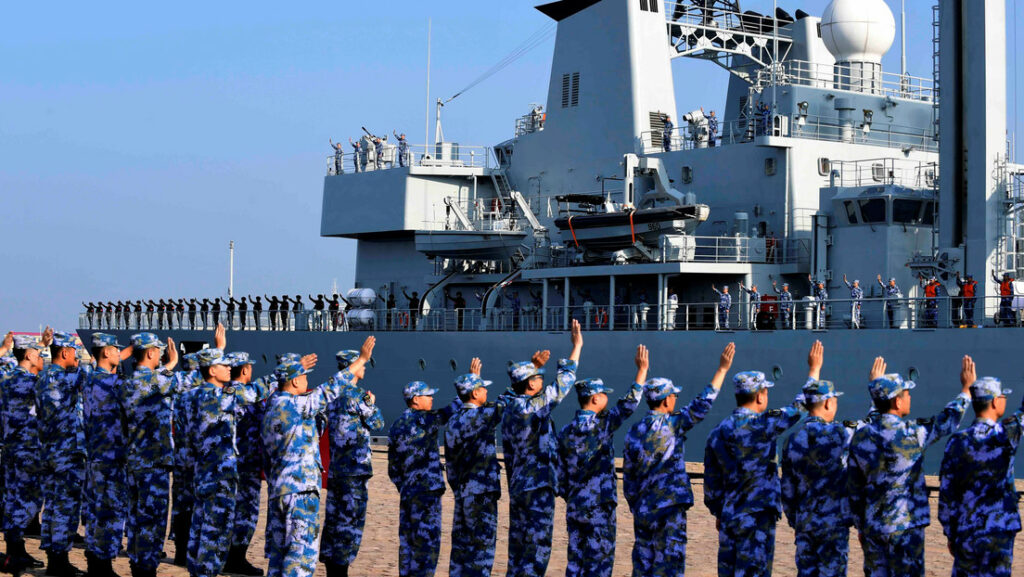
[{"x": 147, "y": 399}]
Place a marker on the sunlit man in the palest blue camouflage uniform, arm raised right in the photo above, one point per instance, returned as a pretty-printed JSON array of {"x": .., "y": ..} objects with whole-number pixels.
[{"x": 291, "y": 437}]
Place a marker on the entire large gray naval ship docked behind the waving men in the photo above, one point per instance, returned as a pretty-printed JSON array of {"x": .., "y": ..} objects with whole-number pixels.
[{"x": 820, "y": 166}]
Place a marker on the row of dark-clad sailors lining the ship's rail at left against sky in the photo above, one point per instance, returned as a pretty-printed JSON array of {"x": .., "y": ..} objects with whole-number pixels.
[{"x": 284, "y": 313}]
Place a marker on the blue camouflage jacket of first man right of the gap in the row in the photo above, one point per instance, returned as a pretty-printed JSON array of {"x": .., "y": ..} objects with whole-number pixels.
[{"x": 414, "y": 460}]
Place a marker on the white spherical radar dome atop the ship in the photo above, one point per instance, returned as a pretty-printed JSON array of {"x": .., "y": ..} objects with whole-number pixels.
[{"x": 859, "y": 31}]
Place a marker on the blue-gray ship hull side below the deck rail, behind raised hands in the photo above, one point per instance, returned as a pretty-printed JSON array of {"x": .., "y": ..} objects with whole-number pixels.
[{"x": 689, "y": 358}]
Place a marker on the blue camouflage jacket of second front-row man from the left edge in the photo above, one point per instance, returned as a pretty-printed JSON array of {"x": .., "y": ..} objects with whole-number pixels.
[{"x": 60, "y": 413}]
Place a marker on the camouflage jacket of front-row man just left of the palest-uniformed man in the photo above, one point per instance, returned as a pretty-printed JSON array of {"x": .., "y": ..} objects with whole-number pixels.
[{"x": 210, "y": 418}]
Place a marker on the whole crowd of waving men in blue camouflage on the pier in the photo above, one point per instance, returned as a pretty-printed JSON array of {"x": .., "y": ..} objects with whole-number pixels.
[{"x": 73, "y": 426}]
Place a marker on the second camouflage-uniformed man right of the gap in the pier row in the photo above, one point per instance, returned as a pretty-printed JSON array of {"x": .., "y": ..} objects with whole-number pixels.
[{"x": 474, "y": 474}]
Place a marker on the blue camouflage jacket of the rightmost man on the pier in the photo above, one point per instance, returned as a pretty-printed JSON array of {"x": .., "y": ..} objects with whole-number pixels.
[{"x": 977, "y": 496}]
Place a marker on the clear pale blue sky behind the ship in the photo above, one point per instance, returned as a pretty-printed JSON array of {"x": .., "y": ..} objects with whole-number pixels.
[{"x": 137, "y": 140}]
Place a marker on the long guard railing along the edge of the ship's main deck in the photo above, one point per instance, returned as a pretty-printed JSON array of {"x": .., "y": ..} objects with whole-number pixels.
[{"x": 909, "y": 314}]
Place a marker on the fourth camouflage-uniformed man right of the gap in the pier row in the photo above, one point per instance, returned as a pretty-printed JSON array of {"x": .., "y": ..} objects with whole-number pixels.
[{"x": 587, "y": 472}]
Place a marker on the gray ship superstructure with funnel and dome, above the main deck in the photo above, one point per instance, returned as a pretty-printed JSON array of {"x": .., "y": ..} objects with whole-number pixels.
[{"x": 812, "y": 118}]
